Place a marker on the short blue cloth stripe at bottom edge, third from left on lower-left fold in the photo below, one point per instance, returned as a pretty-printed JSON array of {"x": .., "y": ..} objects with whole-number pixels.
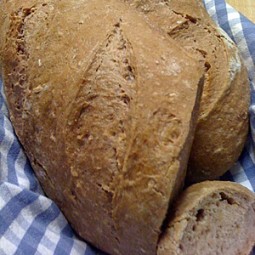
[{"x": 65, "y": 243}]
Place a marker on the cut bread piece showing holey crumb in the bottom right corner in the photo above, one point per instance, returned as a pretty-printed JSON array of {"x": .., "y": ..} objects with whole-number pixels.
[{"x": 211, "y": 218}]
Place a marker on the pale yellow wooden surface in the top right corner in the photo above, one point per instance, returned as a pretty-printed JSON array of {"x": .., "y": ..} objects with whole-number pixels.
[{"x": 247, "y": 7}]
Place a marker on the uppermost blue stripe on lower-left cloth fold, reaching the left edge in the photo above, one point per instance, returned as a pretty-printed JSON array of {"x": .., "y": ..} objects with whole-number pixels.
[{"x": 12, "y": 209}]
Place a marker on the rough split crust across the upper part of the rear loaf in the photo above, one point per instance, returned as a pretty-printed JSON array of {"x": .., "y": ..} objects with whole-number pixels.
[{"x": 186, "y": 29}]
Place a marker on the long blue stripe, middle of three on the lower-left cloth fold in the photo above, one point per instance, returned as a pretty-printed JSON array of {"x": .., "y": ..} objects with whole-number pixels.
[{"x": 35, "y": 232}]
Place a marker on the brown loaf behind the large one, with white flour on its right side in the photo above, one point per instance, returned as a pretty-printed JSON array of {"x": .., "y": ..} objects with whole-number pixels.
[{"x": 223, "y": 123}]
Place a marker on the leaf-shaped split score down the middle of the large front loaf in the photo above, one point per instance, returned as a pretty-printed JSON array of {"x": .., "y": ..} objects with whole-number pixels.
[{"x": 99, "y": 118}]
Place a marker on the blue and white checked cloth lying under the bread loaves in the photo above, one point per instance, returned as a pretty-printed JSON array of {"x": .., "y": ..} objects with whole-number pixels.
[{"x": 31, "y": 224}]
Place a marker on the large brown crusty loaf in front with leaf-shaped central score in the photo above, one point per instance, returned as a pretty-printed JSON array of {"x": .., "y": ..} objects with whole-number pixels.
[{"x": 105, "y": 107}]
